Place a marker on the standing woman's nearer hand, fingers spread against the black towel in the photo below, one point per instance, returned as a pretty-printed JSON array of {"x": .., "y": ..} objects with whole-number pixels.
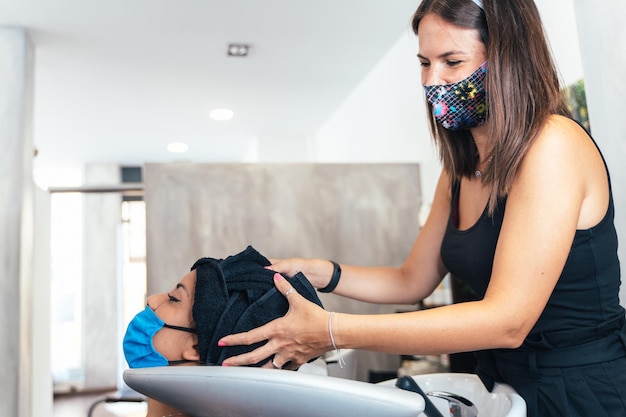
[{"x": 294, "y": 339}]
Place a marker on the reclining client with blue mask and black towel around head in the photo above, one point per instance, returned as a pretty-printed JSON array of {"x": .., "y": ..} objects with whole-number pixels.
[{"x": 216, "y": 298}]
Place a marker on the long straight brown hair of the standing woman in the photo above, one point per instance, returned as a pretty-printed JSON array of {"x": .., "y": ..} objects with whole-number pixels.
[{"x": 522, "y": 86}]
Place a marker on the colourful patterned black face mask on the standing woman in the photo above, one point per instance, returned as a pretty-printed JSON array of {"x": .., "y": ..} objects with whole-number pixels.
[{"x": 460, "y": 105}]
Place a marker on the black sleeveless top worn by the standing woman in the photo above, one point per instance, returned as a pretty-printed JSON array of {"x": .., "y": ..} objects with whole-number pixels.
[{"x": 586, "y": 295}]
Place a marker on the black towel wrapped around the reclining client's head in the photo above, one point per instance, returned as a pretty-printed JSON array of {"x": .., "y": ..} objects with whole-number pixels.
[{"x": 237, "y": 294}]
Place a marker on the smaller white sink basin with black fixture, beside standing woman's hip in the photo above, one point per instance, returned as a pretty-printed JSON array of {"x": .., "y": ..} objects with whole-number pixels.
[{"x": 502, "y": 402}]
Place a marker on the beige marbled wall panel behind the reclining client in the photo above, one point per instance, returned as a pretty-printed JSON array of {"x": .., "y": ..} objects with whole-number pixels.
[{"x": 364, "y": 214}]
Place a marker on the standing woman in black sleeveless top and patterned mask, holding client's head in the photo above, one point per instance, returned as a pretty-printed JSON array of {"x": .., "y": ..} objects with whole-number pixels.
[{"x": 522, "y": 212}]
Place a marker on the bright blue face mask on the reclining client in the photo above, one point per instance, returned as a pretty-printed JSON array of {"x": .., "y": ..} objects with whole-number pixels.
[{"x": 138, "y": 348}]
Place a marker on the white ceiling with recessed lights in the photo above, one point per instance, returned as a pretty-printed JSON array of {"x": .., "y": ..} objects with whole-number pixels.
[{"x": 117, "y": 80}]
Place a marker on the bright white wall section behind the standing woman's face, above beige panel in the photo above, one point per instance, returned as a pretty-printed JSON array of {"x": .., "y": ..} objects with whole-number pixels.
[{"x": 384, "y": 118}]
